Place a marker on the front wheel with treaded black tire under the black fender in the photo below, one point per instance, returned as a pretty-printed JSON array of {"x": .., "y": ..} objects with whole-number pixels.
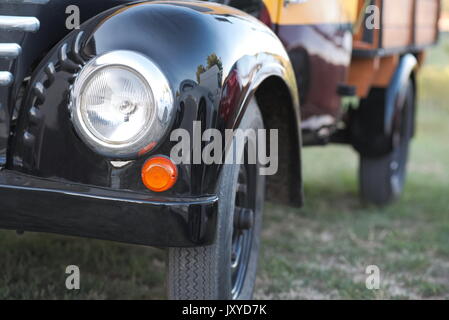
[{"x": 227, "y": 269}]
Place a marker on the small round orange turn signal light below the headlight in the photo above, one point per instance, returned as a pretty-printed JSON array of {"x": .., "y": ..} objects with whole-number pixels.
[{"x": 159, "y": 174}]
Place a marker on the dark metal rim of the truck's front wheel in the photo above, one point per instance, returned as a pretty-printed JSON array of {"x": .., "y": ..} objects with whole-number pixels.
[{"x": 243, "y": 228}]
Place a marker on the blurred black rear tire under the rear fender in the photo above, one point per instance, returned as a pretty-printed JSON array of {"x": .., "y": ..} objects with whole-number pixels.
[{"x": 382, "y": 179}]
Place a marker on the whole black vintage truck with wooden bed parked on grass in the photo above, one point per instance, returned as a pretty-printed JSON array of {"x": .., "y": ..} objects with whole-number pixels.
[{"x": 87, "y": 112}]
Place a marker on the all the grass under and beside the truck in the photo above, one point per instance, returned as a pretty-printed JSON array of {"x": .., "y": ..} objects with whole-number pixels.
[{"x": 320, "y": 251}]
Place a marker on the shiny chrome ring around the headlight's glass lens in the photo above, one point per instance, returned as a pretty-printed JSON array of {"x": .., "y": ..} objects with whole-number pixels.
[{"x": 159, "y": 88}]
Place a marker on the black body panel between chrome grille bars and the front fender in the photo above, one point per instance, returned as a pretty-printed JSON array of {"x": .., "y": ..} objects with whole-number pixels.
[{"x": 35, "y": 46}]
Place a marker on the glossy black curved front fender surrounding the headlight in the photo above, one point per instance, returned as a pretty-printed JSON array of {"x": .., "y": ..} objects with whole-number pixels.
[{"x": 46, "y": 145}]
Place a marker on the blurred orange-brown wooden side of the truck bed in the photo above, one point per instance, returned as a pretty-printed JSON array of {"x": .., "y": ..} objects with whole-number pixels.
[{"x": 406, "y": 26}]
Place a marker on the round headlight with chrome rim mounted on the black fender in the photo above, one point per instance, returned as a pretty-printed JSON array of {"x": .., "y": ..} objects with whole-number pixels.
[{"x": 121, "y": 104}]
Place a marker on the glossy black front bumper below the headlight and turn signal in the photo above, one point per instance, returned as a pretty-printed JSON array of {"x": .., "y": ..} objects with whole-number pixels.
[{"x": 86, "y": 211}]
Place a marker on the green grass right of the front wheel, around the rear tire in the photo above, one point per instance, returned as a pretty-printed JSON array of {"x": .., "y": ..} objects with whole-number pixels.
[{"x": 322, "y": 250}]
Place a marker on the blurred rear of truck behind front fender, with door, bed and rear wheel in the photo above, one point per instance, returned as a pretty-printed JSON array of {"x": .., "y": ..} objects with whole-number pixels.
[{"x": 376, "y": 63}]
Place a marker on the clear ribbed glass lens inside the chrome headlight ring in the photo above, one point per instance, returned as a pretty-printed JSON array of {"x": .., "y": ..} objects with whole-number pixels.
[{"x": 116, "y": 105}]
